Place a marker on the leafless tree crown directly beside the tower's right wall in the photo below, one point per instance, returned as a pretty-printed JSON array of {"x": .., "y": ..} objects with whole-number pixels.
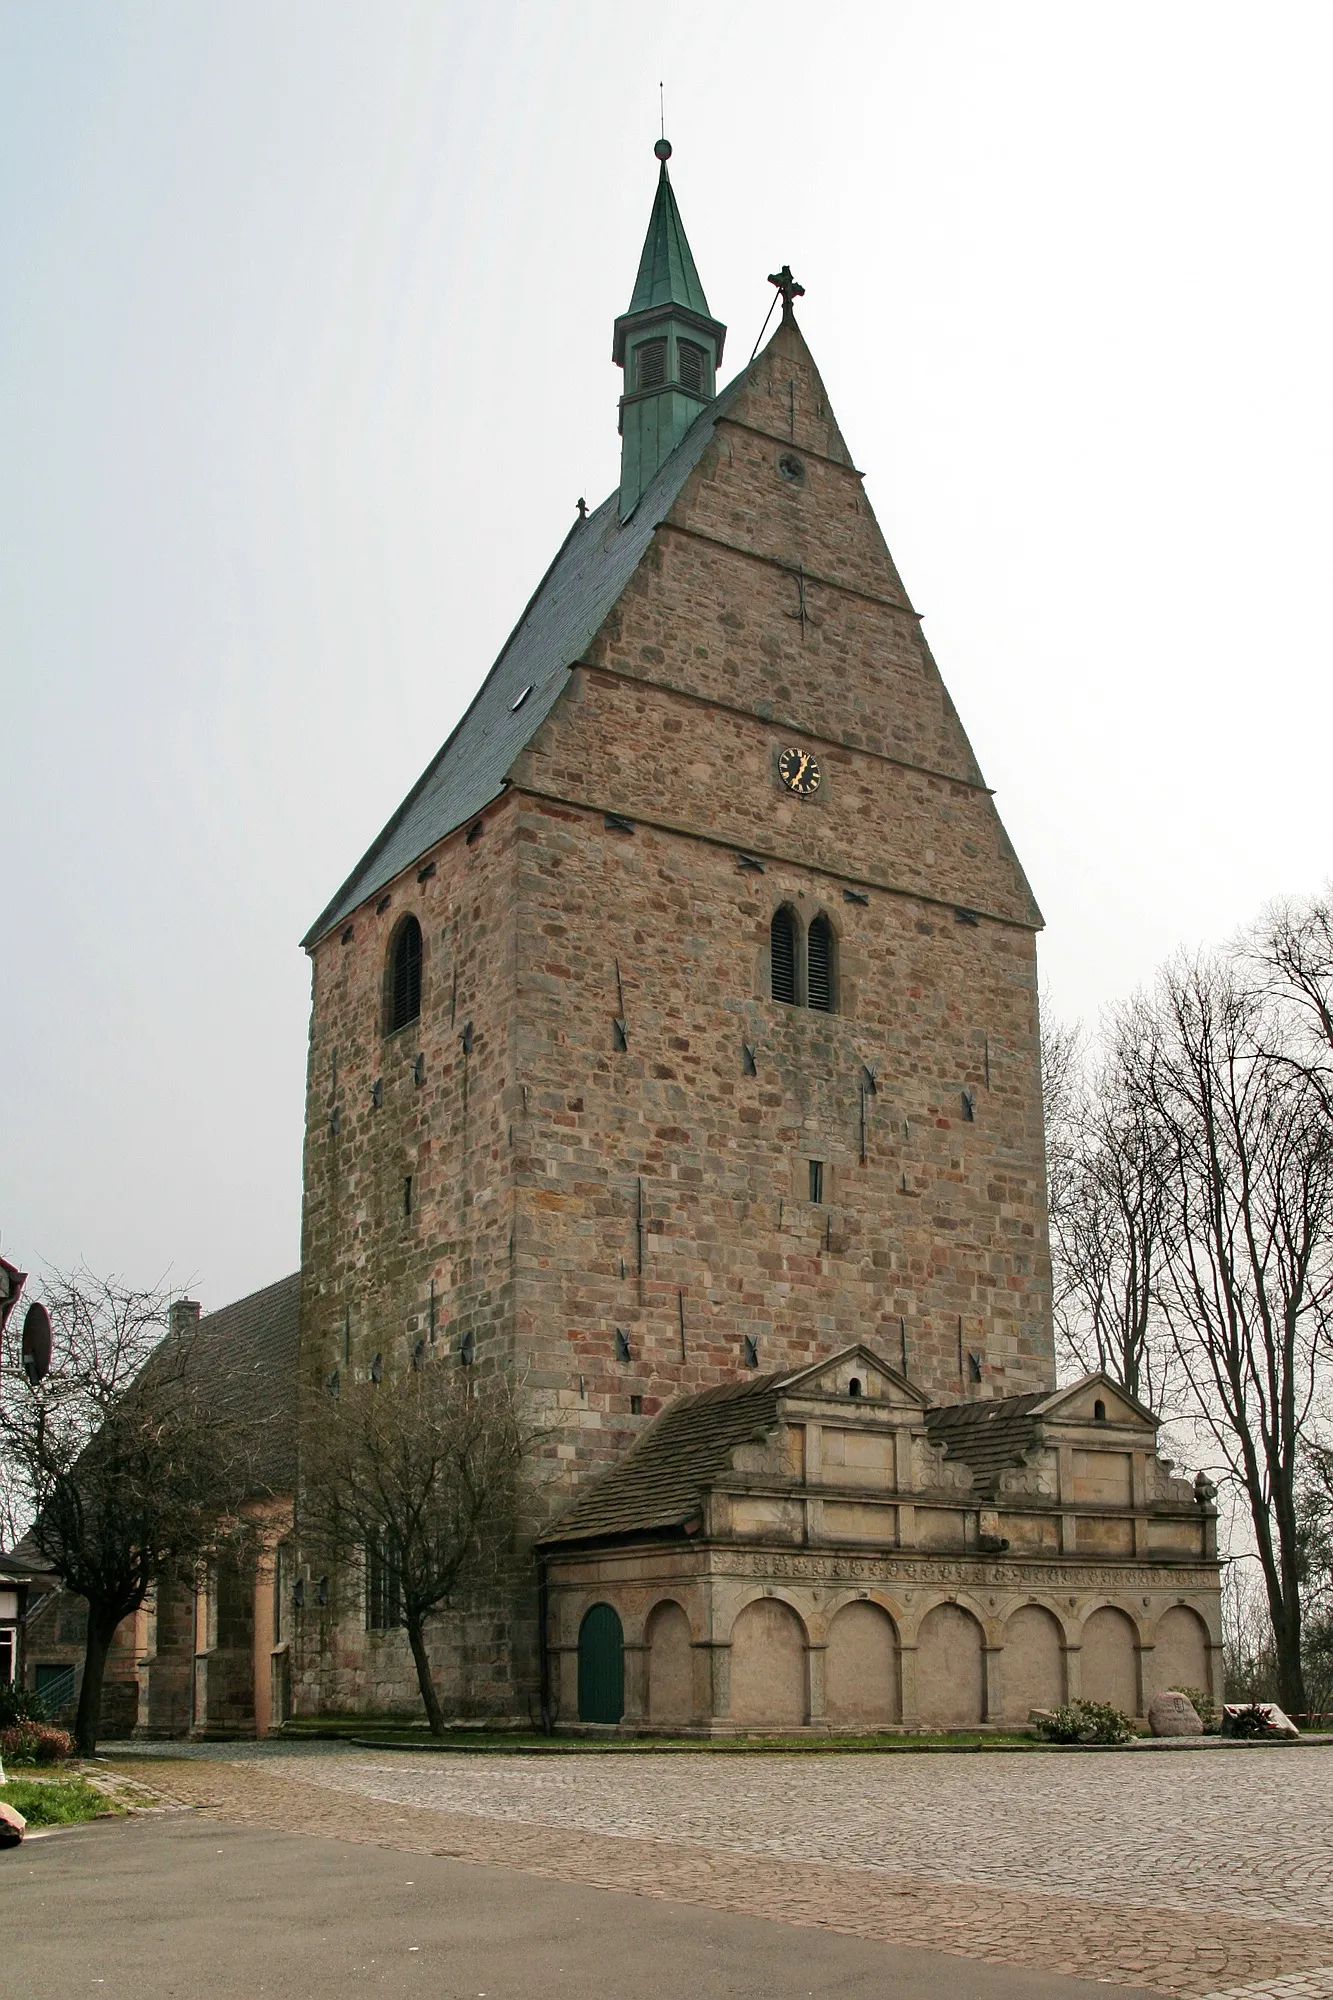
[{"x": 1106, "y": 1165}]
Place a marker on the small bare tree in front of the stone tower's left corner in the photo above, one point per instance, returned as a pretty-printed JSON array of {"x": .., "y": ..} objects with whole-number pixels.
[{"x": 415, "y": 1479}]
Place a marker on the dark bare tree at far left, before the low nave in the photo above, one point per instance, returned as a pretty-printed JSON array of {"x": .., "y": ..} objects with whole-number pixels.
[{"x": 127, "y": 1465}]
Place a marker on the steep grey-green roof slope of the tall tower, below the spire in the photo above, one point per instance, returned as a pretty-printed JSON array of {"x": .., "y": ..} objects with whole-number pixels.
[{"x": 565, "y": 615}]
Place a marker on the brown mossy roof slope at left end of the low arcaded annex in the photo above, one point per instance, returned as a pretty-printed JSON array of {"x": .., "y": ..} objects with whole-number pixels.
[{"x": 663, "y": 1477}]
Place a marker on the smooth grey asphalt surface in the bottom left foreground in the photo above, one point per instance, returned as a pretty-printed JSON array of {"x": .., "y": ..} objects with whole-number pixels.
[{"x": 183, "y": 1907}]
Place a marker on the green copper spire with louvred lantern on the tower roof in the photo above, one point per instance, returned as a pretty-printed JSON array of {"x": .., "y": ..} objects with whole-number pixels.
[{"x": 668, "y": 343}]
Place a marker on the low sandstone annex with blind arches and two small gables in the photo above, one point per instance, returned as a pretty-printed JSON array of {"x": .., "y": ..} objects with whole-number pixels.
[{"x": 830, "y": 1549}]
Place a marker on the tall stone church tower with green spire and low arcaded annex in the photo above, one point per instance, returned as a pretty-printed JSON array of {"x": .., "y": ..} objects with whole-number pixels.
[{"x": 676, "y": 1051}]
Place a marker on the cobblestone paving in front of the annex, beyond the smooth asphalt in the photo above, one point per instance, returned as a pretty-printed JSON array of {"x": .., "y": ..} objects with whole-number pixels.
[{"x": 1188, "y": 1875}]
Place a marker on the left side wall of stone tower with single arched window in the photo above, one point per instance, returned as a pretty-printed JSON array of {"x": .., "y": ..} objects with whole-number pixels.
[{"x": 369, "y": 1267}]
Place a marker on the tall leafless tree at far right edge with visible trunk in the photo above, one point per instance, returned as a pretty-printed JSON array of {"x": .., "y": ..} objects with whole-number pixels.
[{"x": 1248, "y": 1283}]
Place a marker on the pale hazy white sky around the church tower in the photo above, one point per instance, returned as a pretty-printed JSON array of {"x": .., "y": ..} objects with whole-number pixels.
[{"x": 305, "y": 335}]
